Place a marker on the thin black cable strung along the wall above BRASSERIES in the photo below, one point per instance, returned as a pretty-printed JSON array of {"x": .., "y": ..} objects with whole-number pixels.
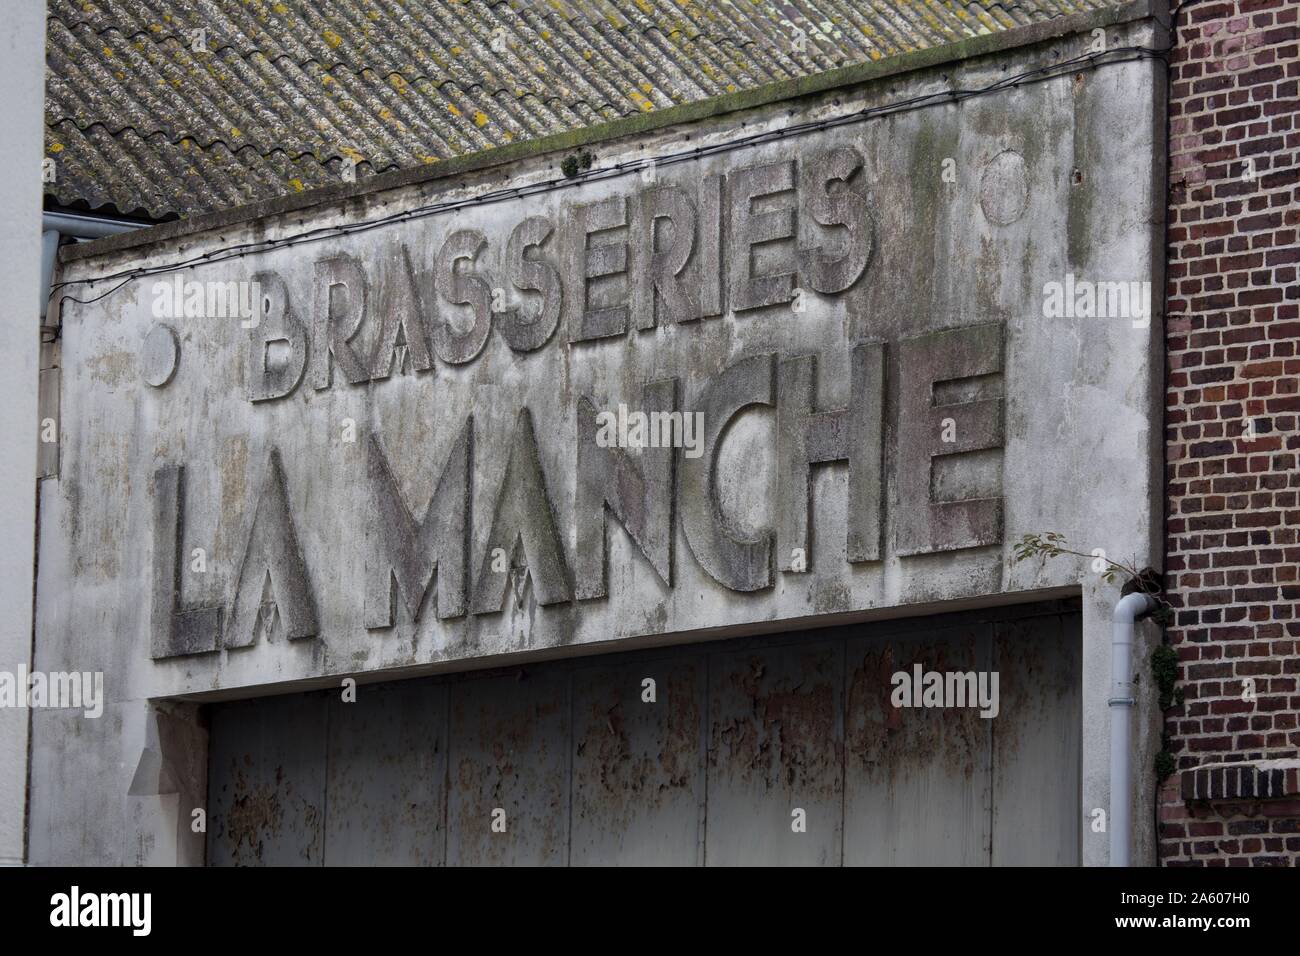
[{"x": 1050, "y": 71}]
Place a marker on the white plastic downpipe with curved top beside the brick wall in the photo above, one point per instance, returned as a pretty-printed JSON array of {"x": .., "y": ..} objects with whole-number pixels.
[{"x": 1128, "y": 611}]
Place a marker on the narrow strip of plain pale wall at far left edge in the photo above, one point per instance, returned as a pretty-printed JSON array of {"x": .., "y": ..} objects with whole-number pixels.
[{"x": 23, "y": 77}]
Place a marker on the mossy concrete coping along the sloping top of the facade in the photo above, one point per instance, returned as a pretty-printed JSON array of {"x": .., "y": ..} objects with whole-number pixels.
[{"x": 626, "y": 127}]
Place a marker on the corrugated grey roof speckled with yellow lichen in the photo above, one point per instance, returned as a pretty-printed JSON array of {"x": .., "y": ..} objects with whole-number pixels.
[{"x": 164, "y": 109}]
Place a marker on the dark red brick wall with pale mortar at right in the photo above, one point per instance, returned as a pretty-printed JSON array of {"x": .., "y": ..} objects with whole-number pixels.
[{"x": 1233, "y": 537}]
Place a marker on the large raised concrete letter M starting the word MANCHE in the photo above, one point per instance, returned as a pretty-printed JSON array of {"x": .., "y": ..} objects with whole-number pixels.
[{"x": 404, "y": 555}]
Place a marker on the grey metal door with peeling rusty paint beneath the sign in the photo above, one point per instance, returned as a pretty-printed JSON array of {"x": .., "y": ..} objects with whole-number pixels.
[{"x": 783, "y": 750}]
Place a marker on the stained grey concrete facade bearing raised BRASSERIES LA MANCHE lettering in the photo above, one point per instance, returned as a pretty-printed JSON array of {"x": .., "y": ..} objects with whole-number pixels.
[{"x": 1054, "y": 178}]
